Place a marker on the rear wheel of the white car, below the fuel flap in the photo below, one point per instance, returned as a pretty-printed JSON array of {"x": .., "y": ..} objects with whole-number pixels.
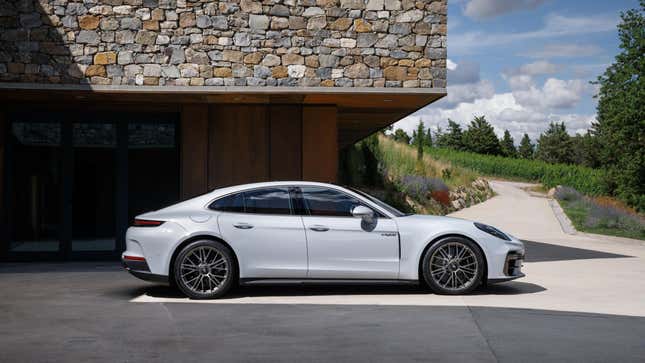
[{"x": 205, "y": 272}]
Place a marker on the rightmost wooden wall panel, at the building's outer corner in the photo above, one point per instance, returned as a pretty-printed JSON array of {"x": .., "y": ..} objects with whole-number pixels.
[{"x": 319, "y": 143}]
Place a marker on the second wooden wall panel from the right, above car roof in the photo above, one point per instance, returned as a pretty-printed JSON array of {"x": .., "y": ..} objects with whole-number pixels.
[{"x": 286, "y": 142}]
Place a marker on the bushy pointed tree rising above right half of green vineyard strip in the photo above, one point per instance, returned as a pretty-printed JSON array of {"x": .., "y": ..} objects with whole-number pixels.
[{"x": 554, "y": 145}]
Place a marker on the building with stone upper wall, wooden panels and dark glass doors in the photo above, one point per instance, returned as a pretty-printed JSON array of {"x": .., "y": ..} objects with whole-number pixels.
[{"x": 114, "y": 107}]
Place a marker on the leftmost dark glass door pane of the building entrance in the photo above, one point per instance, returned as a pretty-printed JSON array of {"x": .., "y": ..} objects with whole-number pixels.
[{"x": 34, "y": 178}]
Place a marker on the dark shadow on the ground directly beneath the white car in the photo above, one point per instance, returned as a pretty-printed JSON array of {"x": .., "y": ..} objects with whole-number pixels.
[{"x": 311, "y": 289}]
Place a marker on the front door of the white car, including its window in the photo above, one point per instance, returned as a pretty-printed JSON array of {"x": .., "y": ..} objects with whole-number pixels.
[{"x": 342, "y": 246}]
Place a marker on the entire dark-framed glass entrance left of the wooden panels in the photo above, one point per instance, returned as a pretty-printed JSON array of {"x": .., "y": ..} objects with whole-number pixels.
[{"x": 74, "y": 182}]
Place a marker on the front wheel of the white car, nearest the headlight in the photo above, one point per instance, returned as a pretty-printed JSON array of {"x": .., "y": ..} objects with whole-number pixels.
[{"x": 437, "y": 279}]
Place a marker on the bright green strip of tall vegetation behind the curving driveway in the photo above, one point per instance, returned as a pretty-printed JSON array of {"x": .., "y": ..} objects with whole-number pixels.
[{"x": 585, "y": 180}]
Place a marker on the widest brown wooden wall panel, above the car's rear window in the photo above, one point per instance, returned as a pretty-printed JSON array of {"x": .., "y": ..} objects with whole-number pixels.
[{"x": 238, "y": 144}]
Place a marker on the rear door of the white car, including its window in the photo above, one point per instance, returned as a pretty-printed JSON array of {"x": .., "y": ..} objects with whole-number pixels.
[{"x": 267, "y": 236}]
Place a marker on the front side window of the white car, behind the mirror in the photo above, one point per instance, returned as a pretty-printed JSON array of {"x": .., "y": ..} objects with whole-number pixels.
[{"x": 328, "y": 202}]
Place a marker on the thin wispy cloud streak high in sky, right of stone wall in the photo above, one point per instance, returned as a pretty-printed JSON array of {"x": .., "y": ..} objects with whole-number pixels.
[{"x": 554, "y": 26}]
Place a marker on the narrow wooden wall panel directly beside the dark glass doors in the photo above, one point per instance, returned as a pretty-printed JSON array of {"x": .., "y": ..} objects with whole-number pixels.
[{"x": 194, "y": 150}]
